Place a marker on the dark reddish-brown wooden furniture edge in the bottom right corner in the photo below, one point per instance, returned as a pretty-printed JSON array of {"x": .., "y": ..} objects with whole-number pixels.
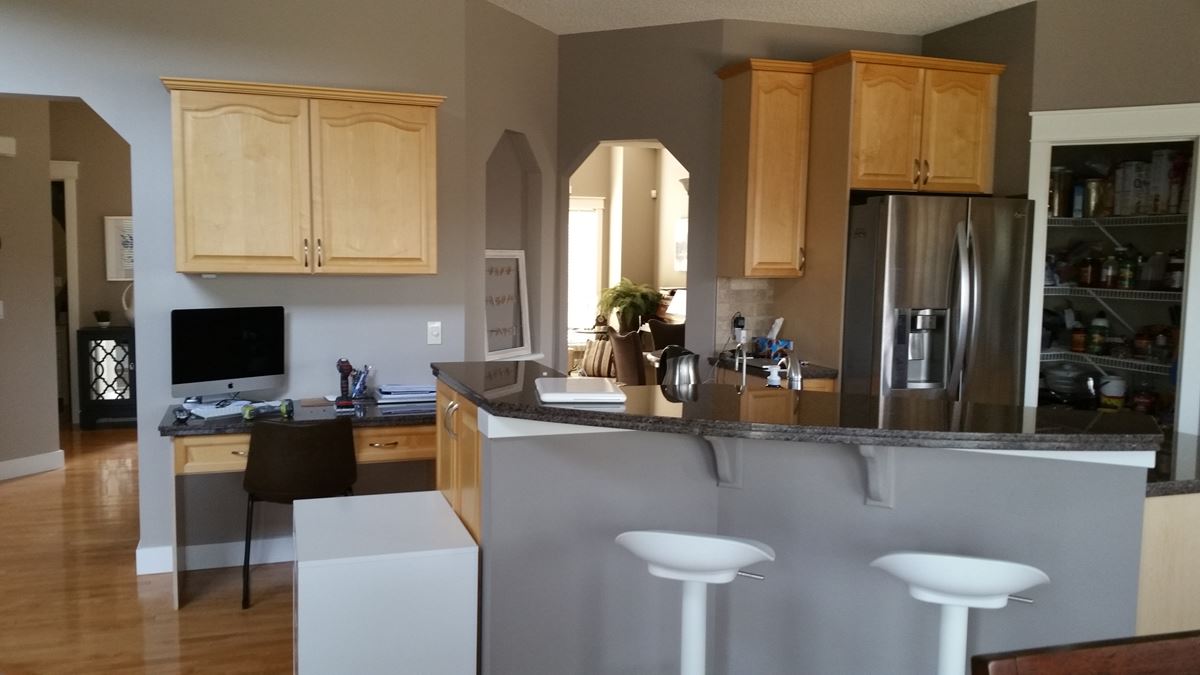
[{"x": 1169, "y": 654}]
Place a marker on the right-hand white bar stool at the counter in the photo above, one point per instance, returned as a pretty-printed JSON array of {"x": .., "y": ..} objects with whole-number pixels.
[{"x": 959, "y": 583}]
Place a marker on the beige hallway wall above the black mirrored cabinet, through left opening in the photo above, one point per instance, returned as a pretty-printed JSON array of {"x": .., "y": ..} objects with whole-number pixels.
[{"x": 79, "y": 134}]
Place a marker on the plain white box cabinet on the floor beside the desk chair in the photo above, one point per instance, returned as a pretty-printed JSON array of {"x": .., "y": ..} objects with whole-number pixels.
[{"x": 385, "y": 584}]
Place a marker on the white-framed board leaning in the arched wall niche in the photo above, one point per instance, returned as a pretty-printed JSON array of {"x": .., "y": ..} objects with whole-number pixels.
[{"x": 506, "y": 306}]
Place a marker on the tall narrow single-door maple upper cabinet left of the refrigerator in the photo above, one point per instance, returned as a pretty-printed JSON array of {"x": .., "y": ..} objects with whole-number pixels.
[{"x": 765, "y": 164}]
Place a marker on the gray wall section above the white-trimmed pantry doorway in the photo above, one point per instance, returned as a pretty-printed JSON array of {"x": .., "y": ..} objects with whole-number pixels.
[{"x": 1107, "y": 53}]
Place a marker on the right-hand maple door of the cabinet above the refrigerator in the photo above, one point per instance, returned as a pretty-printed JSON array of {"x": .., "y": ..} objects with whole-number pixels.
[{"x": 958, "y": 132}]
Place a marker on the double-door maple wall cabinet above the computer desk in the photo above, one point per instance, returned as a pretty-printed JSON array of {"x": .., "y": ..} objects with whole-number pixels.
[{"x": 303, "y": 180}]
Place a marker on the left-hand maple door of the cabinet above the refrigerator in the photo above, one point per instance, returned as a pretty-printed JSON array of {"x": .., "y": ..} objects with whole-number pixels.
[{"x": 886, "y": 127}]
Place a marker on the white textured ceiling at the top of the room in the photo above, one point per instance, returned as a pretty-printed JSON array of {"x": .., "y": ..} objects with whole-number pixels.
[{"x": 903, "y": 17}]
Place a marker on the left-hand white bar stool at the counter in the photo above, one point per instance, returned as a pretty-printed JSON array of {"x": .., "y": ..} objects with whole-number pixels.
[{"x": 697, "y": 560}]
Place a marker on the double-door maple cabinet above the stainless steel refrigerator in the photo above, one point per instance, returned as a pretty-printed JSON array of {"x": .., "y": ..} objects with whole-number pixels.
[{"x": 917, "y": 123}]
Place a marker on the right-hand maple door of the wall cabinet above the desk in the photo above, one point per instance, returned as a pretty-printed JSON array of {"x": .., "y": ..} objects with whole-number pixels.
[{"x": 374, "y": 188}]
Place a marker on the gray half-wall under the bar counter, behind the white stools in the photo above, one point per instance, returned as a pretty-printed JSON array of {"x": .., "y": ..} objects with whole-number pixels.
[{"x": 587, "y": 606}]
